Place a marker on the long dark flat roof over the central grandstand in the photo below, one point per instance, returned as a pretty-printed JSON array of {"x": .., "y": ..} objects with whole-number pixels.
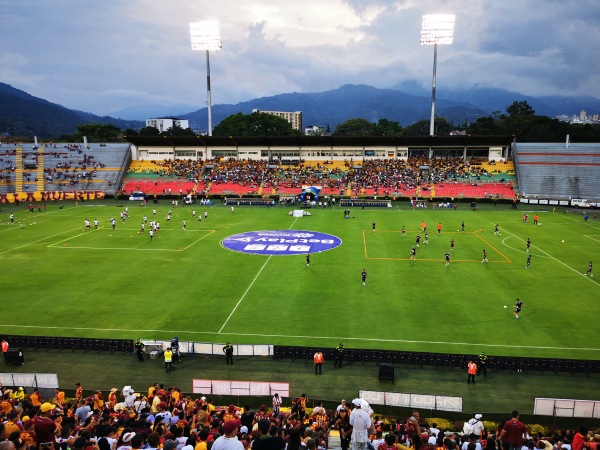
[{"x": 322, "y": 141}]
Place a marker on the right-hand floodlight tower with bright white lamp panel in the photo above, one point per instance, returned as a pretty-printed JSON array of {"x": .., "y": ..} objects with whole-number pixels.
[{"x": 436, "y": 29}]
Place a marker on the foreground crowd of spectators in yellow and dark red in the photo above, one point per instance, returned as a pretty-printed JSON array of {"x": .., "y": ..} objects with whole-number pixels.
[{"x": 165, "y": 418}]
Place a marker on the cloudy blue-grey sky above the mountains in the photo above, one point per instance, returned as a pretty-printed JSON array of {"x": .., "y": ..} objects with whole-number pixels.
[{"x": 105, "y": 55}]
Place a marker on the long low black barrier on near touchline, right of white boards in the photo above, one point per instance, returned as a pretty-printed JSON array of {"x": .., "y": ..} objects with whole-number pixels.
[{"x": 442, "y": 360}]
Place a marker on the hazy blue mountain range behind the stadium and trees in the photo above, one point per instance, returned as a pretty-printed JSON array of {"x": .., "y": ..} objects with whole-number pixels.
[{"x": 25, "y": 115}]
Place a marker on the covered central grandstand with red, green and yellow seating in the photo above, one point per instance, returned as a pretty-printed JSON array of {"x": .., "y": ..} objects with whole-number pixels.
[{"x": 426, "y": 166}]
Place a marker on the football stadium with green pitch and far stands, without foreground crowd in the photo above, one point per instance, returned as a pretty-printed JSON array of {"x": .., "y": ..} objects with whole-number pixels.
[{"x": 417, "y": 255}]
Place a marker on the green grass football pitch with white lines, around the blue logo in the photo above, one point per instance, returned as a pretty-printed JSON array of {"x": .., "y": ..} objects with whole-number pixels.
[{"x": 59, "y": 279}]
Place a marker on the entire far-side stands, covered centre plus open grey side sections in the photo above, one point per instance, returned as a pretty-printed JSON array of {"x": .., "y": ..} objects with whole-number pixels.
[{"x": 429, "y": 167}]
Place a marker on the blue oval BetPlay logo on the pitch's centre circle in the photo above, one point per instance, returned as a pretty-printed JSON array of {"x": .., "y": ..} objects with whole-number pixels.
[{"x": 281, "y": 242}]
